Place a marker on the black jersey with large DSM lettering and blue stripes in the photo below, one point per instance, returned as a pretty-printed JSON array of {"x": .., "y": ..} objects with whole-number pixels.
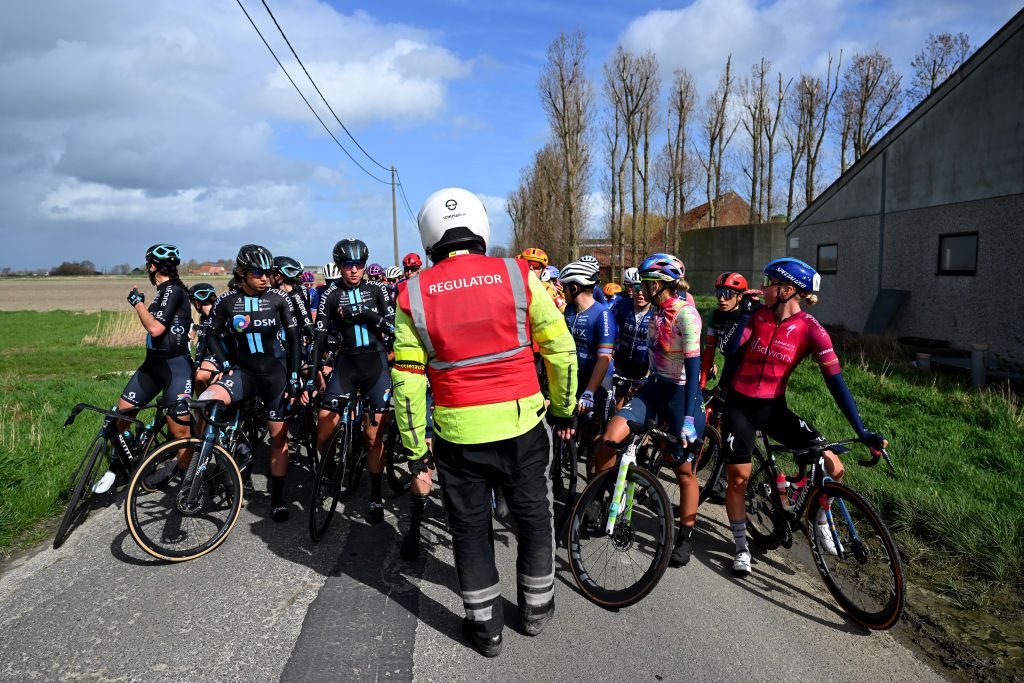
[{"x": 253, "y": 323}]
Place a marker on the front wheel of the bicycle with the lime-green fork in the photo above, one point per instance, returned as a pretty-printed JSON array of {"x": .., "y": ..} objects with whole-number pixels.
[{"x": 620, "y": 570}]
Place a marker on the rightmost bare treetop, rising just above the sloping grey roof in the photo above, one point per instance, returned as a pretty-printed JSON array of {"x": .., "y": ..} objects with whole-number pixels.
[{"x": 873, "y": 97}]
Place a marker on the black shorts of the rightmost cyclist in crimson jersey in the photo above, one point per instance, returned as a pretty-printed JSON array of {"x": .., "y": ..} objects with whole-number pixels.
[{"x": 744, "y": 417}]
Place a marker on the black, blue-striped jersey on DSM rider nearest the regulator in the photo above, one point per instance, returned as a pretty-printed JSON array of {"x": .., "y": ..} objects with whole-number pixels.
[{"x": 368, "y": 332}]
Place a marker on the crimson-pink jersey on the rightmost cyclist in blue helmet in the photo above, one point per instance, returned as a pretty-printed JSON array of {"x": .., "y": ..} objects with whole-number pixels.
[{"x": 773, "y": 351}]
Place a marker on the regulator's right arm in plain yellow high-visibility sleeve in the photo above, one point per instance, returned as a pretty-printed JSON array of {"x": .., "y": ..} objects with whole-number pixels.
[{"x": 558, "y": 349}]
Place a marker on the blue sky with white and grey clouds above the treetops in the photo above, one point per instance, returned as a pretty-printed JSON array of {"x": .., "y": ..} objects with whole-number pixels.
[{"x": 125, "y": 124}]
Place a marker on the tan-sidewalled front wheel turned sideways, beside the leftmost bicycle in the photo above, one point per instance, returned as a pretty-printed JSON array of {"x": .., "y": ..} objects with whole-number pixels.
[{"x": 187, "y": 518}]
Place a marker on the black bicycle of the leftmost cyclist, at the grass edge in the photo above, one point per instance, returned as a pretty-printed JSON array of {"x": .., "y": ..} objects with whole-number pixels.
[{"x": 99, "y": 457}]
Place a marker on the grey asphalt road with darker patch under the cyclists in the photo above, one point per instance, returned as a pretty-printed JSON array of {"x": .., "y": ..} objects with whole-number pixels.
[{"x": 272, "y": 606}]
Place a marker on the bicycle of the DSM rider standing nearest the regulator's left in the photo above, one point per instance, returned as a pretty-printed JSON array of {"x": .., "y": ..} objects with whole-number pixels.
[{"x": 340, "y": 465}]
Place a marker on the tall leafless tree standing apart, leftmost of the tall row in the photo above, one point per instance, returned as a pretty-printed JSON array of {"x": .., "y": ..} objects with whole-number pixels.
[{"x": 568, "y": 98}]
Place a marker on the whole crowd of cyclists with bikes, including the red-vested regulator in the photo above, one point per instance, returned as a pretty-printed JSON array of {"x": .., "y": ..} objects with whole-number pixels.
[{"x": 516, "y": 383}]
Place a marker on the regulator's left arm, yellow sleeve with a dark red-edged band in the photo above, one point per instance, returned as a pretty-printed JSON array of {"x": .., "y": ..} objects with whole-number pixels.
[{"x": 409, "y": 385}]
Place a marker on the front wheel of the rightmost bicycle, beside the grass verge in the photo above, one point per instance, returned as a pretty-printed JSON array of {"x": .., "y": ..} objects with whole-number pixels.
[{"x": 862, "y": 567}]
